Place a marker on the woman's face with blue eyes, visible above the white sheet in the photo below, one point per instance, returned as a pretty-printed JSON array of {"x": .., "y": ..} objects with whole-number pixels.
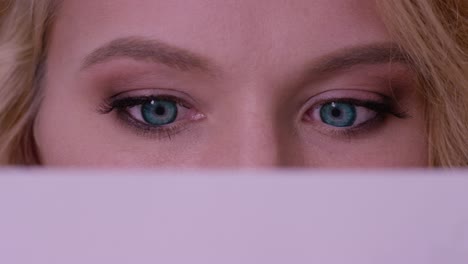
[{"x": 235, "y": 83}]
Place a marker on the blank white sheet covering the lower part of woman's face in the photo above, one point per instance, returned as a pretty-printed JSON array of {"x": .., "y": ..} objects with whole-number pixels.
[{"x": 233, "y": 217}]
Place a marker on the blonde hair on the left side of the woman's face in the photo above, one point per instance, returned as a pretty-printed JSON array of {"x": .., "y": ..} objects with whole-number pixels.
[{"x": 23, "y": 41}]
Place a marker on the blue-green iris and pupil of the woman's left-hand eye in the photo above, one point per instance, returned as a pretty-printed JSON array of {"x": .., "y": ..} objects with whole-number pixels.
[{"x": 159, "y": 112}]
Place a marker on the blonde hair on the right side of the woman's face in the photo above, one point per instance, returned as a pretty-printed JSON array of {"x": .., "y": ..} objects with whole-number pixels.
[{"x": 435, "y": 34}]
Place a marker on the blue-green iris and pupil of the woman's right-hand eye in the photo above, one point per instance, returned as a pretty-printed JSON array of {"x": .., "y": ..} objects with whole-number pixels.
[{"x": 338, "y": 114}]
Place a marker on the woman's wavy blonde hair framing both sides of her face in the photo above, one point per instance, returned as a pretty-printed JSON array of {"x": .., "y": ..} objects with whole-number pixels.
[{"x": 433, "y": 32}]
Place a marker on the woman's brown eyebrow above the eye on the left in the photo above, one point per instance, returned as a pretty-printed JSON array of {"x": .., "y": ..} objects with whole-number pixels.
[{"x": 150, "y": 50}]
